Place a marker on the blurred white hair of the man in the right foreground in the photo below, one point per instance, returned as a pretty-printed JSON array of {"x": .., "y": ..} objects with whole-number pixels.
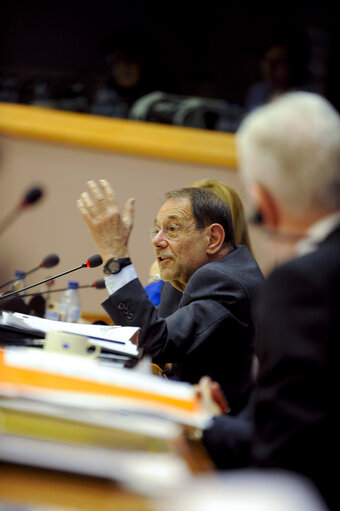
[{"x": 292, "y": 147}]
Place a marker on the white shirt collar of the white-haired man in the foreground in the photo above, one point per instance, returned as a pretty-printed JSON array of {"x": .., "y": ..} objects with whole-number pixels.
[{"x": 317, "y": 233}]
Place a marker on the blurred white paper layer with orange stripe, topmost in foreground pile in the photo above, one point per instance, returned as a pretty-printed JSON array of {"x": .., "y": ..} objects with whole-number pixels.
[{"x": 32, "y": 372}]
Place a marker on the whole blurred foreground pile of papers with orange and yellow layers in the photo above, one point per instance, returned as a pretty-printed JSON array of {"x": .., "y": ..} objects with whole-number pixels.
[{"x": 75, "y": 414}]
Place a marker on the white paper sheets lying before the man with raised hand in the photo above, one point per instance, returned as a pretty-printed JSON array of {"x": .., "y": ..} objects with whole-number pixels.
[{"x": 115, "y": 338}]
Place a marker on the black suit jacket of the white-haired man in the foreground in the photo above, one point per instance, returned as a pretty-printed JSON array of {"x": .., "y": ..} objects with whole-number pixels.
[{"x": 295, "y": 423}]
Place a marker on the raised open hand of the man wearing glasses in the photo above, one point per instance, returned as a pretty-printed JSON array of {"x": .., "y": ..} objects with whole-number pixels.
[{"x": 109, "y": 230}]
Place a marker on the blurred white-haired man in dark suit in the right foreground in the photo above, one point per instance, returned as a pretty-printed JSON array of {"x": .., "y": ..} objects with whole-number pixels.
[{"x": 289, "y": 153}]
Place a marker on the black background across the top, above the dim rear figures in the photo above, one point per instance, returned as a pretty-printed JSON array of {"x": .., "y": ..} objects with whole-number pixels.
[{"x": 208, "y": 49}]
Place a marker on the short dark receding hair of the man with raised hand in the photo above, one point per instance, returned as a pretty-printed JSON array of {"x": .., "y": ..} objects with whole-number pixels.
[{"x": 207, "y": 208}]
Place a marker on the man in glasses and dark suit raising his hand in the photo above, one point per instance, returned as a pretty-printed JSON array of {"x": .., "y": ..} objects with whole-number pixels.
[{"x": 211, "y": 332}]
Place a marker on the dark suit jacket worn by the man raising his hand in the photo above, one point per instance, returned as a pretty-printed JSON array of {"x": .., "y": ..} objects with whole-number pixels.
[{"x": 212, "y": 331}]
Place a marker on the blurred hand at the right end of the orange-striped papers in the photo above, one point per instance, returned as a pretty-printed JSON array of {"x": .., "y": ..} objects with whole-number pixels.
[{"x": 213, "y": 400}]
